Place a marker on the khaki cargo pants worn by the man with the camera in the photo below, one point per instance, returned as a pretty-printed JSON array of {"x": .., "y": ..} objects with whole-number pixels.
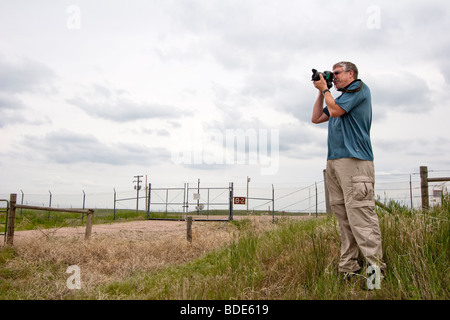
[{"x": 350, "y": 185}]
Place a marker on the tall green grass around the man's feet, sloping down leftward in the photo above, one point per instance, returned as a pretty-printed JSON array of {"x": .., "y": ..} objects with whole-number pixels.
[{"x": 299, "y": 260}]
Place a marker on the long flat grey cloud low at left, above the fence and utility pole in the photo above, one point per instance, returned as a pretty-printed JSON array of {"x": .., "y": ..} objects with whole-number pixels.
[{"x": 68, "y": 147}]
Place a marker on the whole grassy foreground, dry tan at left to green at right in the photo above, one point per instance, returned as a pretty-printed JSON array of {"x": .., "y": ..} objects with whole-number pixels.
[{"x": 237, "y": 260}]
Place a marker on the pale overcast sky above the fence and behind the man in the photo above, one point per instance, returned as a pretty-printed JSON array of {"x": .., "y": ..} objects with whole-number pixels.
[{"x": 93, "y": 93}]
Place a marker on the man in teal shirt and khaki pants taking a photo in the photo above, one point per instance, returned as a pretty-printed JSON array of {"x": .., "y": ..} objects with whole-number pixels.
[{"x": 350, "y": 175}]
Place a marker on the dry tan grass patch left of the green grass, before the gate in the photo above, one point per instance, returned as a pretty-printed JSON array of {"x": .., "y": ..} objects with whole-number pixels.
[{"x": 35, "y": 268}]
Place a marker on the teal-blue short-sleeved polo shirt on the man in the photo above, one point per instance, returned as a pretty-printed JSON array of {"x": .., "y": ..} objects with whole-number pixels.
[{"x": 349, "y": 134}]
